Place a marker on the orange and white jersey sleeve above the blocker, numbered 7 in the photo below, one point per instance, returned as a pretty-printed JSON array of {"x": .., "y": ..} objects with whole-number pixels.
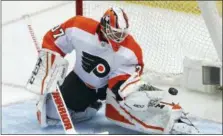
[{"x": 56, "y": 39}]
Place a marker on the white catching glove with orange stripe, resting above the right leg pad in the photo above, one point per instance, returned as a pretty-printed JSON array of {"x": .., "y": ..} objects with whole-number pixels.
[{"x": 139, "y": 95}]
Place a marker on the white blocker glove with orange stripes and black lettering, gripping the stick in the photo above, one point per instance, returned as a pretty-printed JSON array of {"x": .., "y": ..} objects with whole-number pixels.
[{"x": 49, "y": 69}]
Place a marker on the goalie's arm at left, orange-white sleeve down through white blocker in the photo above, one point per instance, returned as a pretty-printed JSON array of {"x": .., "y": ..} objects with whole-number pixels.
[{"x": 50, "y": 64}]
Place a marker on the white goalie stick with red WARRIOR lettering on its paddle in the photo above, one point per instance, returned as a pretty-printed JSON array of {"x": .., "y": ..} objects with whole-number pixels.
[{"x": 57, "y": 97}]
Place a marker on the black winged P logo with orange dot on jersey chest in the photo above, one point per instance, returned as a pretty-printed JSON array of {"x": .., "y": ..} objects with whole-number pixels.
[{"x": 95, "y": 64}]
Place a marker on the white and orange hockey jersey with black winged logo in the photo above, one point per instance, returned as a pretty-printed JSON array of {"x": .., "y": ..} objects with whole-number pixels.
[{"x": 97, "y": 62}]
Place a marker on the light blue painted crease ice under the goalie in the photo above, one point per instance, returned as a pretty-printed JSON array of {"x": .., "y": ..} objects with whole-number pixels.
[{"x": 20, "y": 118}]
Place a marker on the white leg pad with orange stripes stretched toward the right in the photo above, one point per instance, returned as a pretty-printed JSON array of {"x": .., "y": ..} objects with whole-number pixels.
[{"x": 158, "y": 119}]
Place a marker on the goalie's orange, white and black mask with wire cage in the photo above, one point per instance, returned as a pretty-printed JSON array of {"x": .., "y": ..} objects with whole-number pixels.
[{"x": 114, "y": 25}]
